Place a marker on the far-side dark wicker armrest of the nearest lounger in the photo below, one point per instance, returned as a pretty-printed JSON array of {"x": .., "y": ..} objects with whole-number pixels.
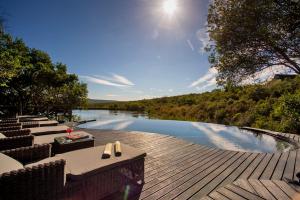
[{"x": 31, "y": 154}]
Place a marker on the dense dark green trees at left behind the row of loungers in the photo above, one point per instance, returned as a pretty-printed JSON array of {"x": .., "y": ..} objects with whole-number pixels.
[{"x": 31, "y": 82}]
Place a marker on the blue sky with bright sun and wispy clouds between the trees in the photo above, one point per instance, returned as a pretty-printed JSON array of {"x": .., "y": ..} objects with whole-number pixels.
[{"x": 123, "y": 49}]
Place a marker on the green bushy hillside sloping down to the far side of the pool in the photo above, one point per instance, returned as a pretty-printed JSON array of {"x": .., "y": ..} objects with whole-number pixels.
[{"x": 274, "y": 105}]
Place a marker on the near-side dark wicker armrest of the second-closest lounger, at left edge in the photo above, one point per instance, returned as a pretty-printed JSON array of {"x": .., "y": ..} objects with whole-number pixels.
[{"x": 16, "y": 142}]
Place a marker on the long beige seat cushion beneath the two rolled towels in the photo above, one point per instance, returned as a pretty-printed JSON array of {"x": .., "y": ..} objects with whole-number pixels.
[{"x": 85, "y": 162}]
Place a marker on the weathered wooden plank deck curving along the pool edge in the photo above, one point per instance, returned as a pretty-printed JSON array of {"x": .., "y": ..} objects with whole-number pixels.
[{"x": 178, "y": 169}]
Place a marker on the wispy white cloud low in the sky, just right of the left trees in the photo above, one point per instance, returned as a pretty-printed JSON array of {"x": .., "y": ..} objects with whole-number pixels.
[{"x": 116, "y": 80}]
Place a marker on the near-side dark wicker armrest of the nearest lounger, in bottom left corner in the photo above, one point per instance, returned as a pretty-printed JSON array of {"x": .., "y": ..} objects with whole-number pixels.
[{"x": 44, "y": 181}]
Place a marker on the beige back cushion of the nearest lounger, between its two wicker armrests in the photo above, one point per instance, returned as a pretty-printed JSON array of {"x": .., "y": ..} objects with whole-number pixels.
[{"x": 9, "y": 164}]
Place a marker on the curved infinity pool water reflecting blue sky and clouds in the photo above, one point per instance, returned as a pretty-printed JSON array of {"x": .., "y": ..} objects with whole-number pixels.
[{"x": 211, "y": 135}]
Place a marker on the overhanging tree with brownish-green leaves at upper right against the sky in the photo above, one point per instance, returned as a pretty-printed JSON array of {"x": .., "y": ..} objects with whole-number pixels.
[{"x": 252, "y": 35}]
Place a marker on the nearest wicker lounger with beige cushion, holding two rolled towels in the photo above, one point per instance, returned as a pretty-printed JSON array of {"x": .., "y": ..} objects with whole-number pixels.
[{"x": 66, "y": 176}]
